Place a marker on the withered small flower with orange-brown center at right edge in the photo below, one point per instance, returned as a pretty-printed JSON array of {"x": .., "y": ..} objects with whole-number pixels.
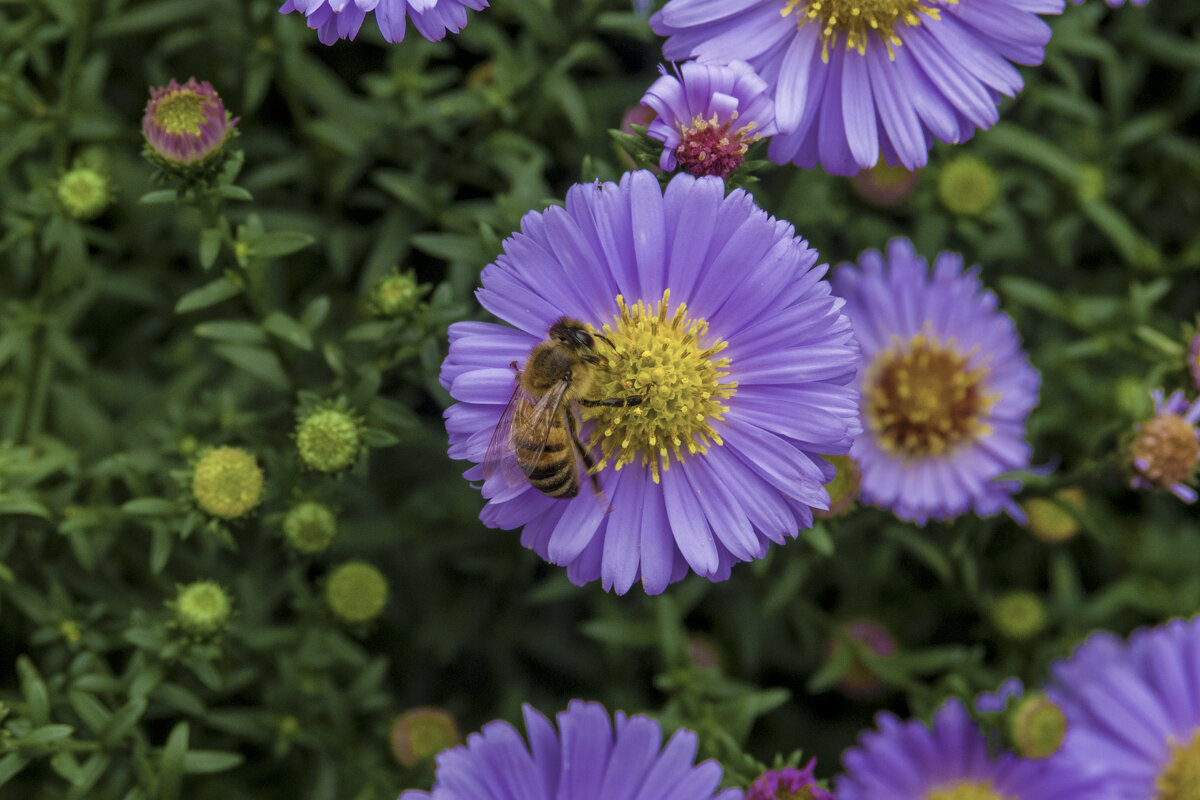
[{"x": 1167, "y": 448}]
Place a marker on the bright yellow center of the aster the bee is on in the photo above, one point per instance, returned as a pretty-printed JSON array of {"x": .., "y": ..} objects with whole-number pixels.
[{"x": 676, "y": 366}]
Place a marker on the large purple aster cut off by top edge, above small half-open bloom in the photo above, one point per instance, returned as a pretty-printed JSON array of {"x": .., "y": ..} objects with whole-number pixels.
[{"x": 853, "y": 80}]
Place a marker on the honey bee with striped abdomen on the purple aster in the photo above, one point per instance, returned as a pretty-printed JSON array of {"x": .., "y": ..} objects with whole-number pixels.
[{"x": 538, "y": 437}]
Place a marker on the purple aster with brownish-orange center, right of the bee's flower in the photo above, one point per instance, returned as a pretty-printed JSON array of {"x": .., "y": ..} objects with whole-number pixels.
[{"x": 946, "y": 387}]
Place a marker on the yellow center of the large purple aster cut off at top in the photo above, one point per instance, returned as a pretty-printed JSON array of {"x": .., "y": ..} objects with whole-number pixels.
[{"x": 857, "y": 20}]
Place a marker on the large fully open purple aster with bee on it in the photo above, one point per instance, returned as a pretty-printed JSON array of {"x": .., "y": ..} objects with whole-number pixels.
[{"x": 715, "y": 314}]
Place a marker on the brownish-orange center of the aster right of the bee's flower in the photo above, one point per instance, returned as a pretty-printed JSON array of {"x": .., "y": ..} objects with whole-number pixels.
[{"x": 922, "y": 400}]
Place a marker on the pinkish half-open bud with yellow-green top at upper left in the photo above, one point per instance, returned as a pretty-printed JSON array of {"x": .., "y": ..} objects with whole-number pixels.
[{"x": 185, "y": 127}]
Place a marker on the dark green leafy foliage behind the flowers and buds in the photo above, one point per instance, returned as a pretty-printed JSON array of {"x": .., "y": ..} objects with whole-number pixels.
[{"x": 423, "y": 157}]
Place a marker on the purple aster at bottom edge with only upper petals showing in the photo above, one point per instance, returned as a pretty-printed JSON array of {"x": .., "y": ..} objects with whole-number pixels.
[{"x": 589, "y": 759}]
